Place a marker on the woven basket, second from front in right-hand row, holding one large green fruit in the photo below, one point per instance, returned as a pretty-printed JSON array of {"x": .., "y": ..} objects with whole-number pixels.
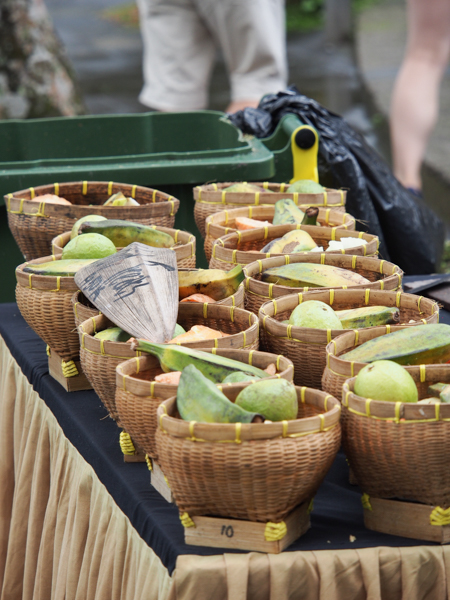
[{"x": 338, "y": 370}]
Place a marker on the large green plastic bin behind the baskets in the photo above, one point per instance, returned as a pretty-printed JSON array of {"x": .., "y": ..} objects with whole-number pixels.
[{"x": 172, "y": 152}]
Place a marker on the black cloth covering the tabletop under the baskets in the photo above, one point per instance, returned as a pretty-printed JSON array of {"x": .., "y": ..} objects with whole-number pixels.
[{"x": 337, "y": 513}]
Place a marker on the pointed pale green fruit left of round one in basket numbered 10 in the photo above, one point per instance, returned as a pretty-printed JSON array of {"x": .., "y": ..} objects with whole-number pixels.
[{"x": 198, "y": 399}]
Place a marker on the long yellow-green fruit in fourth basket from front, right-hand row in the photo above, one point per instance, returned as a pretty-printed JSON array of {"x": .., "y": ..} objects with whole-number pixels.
[{"x": 312, "y": 275}]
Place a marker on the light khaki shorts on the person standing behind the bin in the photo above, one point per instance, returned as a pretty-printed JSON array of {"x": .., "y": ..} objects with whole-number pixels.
[{"x": 181, "y": 38}]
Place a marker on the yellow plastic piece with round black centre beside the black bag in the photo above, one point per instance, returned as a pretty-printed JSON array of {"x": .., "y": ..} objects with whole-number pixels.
[{"x": 304, "y": 148}]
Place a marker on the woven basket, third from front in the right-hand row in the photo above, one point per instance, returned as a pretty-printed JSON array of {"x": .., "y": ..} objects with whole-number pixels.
[{"x": 306, "y": 347}]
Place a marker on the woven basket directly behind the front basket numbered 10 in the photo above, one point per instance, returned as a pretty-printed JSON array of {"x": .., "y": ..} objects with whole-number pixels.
[{"x": 138, "y": 395}]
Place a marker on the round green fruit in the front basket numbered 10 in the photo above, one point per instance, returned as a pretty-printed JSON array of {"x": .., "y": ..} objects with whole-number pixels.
[{"x": 275, "y": 399}]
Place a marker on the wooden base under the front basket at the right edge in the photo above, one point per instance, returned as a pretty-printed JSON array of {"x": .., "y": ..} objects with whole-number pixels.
[{"x": 406, "y": 519}]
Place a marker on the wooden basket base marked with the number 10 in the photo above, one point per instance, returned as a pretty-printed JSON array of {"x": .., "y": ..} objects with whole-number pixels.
[{"x": 246, "y": 535}]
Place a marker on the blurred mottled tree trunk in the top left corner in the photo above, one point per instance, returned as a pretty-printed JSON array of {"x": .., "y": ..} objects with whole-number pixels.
[{"x": 36, "y": 79}]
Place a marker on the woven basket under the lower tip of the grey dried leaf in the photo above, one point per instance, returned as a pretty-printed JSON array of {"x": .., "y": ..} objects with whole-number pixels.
[{"x": 99, "y": 358}]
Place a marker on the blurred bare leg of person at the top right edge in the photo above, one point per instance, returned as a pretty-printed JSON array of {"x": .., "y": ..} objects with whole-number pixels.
[{"x": 415, "y": 100}]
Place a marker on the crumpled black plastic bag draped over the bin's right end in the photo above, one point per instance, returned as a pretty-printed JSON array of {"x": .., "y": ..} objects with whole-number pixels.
[{"x": 411, "y": 235}]
